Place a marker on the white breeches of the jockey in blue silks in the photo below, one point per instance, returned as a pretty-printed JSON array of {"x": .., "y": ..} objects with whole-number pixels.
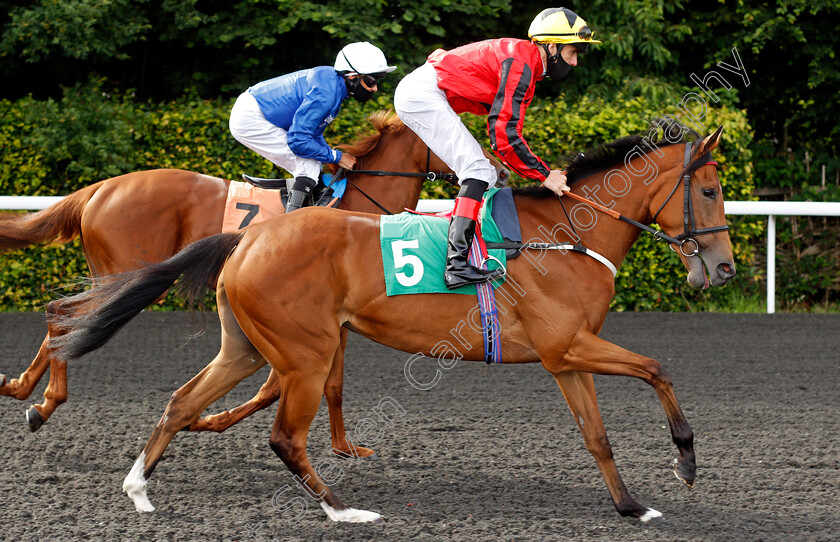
[{"x": 250, "y": 127}]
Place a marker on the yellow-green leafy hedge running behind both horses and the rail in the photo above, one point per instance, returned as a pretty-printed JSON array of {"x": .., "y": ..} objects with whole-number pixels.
[{"x": 54, "y": 148}]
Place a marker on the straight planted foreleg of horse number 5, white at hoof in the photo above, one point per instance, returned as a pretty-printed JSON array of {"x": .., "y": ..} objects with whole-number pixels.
[{"x": 579, "y": 391}]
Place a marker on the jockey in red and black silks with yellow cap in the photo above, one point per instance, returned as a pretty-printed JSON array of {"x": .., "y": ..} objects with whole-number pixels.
[{"x": 494, "y": 78}]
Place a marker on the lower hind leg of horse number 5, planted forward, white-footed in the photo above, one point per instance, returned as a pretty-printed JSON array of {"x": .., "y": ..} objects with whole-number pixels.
[{"x": 299, "y": 403}]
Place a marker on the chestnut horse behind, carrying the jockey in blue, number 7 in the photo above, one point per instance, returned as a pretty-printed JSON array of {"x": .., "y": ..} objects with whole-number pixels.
[{"x": 148, "y": 216}]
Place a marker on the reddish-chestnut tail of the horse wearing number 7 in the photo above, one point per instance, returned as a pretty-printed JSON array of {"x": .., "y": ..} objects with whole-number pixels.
[{"x": 60, "y": 223}]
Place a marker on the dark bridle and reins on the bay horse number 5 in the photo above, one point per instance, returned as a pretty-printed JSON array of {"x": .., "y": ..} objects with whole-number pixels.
[{"x": 690, "y": 230}]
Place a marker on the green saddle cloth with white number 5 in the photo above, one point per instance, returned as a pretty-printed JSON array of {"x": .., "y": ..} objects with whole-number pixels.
[{"x": 414, "y": 251}]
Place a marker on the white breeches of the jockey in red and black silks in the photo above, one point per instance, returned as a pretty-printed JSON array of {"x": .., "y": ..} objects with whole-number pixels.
[{"x": 423, "y": 107}]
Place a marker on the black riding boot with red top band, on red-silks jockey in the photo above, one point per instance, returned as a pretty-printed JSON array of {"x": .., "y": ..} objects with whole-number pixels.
[{"x": 459, "y": 272}]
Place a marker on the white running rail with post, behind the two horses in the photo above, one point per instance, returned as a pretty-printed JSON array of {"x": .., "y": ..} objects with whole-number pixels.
[{"x": 770, "y": 209}]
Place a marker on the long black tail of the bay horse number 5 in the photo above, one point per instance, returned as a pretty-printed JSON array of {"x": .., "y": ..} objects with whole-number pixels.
[{"x": 89, "y": 319}]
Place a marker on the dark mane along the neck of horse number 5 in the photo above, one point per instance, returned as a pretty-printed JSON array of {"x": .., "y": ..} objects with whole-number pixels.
[{"x": 611, "y": 154}]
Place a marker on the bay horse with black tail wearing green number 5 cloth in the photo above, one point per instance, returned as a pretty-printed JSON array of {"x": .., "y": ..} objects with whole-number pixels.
[{"x": 556, "y": 323}]
